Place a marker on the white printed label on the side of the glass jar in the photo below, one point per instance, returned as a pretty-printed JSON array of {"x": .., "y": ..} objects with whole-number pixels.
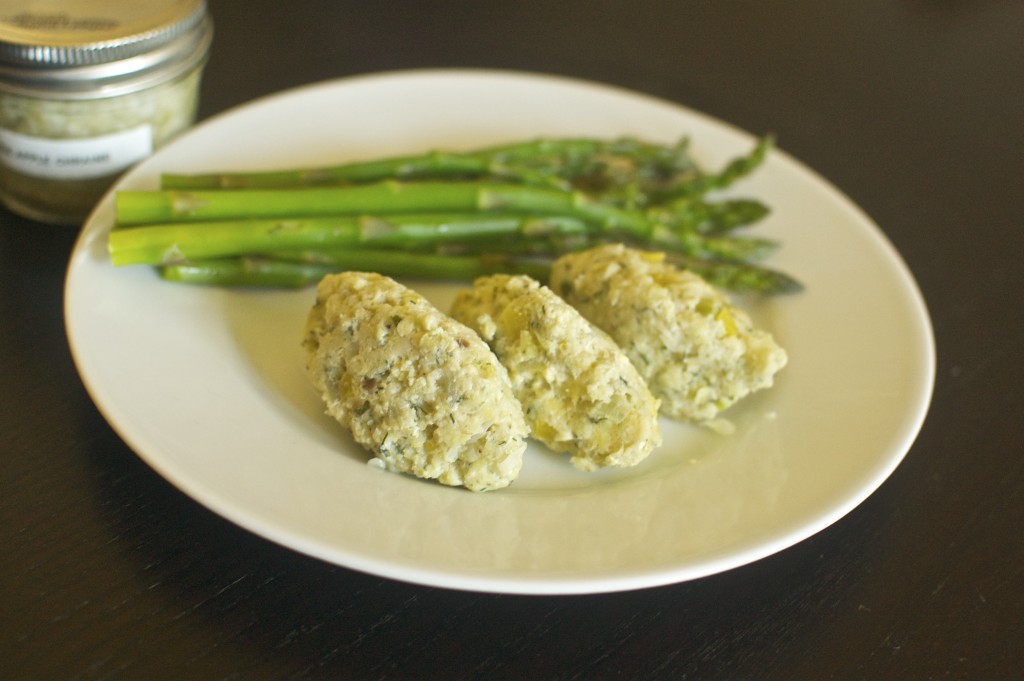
[{"x": 84, "y": 158}]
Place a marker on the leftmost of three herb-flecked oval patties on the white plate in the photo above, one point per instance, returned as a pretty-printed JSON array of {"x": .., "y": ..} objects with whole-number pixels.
[{"x": 416, "y": 389}]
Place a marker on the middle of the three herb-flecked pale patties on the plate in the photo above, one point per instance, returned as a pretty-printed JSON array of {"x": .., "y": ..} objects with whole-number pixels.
[{"x": 579, "y": 392}]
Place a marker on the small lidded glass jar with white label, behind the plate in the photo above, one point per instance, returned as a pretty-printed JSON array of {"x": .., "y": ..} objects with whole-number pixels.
[{"x": 88, "y": 90}]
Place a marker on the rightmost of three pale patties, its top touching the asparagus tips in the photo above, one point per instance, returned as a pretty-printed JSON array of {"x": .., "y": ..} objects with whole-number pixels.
[{"x": 698, "y": 353}]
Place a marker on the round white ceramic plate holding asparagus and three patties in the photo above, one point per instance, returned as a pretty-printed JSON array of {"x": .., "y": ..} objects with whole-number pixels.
[{"x": 207, "y": 386}]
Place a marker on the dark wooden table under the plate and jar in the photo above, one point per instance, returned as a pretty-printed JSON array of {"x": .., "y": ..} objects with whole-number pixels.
[{"x": 915, "y": 109}]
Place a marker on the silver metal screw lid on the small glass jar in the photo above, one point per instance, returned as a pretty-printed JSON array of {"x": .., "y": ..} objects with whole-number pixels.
[{"x": 95, "y": 49}]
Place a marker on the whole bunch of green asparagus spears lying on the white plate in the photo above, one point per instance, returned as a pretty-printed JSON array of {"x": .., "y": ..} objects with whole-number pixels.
[{"x": 451, "y": 216}]
